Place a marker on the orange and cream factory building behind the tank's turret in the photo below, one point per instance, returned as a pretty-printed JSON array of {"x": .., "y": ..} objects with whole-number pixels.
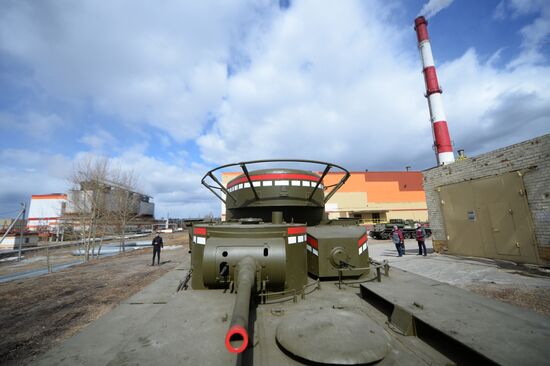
[{"x": 372, "y": 197}]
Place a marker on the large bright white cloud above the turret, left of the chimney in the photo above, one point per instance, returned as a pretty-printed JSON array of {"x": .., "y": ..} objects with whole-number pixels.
[{"x": 314, "y": 93}]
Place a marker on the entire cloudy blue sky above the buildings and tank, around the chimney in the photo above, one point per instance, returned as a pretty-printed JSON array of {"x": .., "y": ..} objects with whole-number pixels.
[{"x": 172, "y": 91}]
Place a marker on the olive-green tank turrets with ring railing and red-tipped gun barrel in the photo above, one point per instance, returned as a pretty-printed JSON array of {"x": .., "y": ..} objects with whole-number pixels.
[{"x": 273, "y": 238}]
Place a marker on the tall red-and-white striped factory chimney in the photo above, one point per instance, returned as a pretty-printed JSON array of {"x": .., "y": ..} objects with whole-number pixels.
[{"x": 442, "y": 140}]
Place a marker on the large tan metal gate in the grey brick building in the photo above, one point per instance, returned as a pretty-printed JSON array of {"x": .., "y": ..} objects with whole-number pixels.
[{"x": 489, "y": 217}]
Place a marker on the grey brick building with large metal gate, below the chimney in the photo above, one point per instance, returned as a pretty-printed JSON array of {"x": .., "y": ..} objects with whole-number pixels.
[{"x": 495, "y": 205}]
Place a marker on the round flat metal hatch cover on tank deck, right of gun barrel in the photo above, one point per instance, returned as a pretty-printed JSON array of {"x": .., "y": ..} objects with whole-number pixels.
[{"x": 333, "y": 336}]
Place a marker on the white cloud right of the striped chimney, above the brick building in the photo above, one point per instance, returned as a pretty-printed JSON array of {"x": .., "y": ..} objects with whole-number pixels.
[{"x": 489, "y": 108}]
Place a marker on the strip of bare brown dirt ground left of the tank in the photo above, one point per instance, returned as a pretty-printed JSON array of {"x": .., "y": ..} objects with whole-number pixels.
[{"x": 39, "y": 312}]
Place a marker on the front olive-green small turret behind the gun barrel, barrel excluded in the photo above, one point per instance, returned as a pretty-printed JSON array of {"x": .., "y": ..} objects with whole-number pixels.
[{"x": 279, "y": 249}]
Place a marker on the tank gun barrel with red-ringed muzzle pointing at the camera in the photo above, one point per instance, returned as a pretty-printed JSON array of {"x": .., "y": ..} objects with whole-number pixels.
[{"x": 236, "y": 339}]
